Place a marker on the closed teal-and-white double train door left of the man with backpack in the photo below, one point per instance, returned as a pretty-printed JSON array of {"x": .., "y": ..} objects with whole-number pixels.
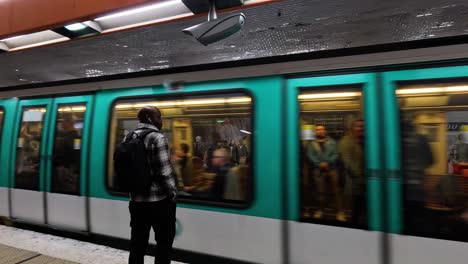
[{"x": 50, "y": 163}]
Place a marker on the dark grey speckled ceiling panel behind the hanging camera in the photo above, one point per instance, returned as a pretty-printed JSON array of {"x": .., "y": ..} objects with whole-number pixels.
[{"x": 276, "y": 30}]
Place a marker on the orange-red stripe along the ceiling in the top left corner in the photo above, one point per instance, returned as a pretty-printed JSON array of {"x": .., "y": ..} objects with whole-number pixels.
[{"x": 21, "y": 16}]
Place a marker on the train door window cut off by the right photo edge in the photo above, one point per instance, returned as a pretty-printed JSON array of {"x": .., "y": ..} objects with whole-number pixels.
[{"x": 434, "y": 149}]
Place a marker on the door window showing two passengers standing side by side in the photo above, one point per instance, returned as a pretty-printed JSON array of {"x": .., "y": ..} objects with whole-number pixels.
[{"x": 332, "y": 157}]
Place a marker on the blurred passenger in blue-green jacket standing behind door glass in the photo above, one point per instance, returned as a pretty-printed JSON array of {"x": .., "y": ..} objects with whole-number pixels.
[{"x": 322, "y": 156}]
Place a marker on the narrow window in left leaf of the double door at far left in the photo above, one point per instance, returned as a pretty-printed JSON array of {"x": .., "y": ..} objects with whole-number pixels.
[{"x": 28, "y": 148}]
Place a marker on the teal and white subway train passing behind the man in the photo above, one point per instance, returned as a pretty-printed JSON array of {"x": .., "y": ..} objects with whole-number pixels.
[{"x": 395, "y": 190}]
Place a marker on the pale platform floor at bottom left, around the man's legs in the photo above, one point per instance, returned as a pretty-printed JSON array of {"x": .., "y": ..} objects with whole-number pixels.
[{"x": 28, "y": 247}]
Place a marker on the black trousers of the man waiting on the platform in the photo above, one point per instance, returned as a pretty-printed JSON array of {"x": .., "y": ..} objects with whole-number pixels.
[{"x": 159, "y": 215}]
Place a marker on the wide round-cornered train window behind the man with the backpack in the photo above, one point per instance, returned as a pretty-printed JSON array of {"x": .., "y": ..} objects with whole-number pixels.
[{"x": 210, "y": 142}]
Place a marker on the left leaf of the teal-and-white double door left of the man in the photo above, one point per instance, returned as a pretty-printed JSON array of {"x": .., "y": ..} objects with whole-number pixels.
[{"x": 29, "y": 161}]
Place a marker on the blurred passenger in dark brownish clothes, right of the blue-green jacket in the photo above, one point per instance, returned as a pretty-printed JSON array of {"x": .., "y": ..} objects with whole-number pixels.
[{"x": 351, "y": 151}]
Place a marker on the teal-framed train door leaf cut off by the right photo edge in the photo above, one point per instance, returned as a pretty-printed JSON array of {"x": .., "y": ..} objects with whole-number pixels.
[{"x": 426, "y": 158}]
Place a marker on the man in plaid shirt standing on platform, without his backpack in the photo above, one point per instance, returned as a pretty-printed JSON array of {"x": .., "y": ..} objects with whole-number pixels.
[{"x": 158, "y": 208}]
